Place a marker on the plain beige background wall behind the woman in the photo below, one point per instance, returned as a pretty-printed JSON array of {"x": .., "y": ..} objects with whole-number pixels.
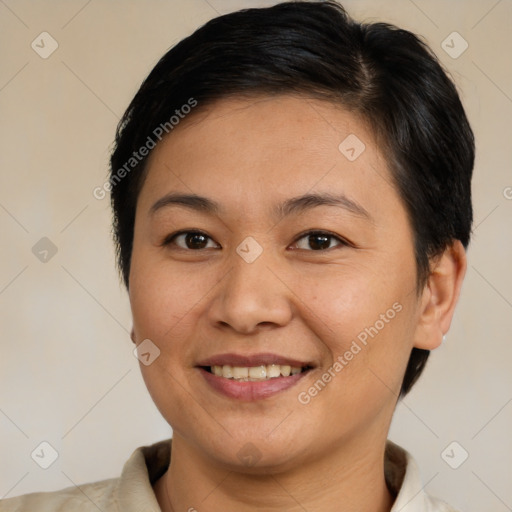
[{"x": 68, "y": 375}]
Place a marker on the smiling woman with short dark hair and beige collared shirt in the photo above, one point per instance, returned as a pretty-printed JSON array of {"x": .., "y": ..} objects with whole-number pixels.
[{"x": 292, "y": 203}]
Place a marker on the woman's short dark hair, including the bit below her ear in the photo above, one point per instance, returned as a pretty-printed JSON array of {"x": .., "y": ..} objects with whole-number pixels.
[{"x": 385, "y": 74}]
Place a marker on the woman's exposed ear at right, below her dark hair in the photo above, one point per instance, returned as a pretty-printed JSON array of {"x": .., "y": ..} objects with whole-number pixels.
[{"x": 440, "y": 296}]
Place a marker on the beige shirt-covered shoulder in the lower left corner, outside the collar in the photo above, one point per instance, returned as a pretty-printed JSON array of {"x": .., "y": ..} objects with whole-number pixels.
[{"x": 84, "y": 498}]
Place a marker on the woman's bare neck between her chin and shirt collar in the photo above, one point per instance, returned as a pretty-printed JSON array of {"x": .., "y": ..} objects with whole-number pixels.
[{"x": 351, "y": 478}]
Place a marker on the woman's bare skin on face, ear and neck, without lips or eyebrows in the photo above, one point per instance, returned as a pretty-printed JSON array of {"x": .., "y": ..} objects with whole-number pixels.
[{"x": 250, "y": 155}]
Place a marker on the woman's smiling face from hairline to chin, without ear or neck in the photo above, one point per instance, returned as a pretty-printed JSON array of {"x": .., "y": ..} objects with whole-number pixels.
[{"x": 299, "y": 254}]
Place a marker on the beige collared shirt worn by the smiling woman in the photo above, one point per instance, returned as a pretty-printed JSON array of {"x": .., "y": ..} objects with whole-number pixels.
[{"x": 133, "y": 491}]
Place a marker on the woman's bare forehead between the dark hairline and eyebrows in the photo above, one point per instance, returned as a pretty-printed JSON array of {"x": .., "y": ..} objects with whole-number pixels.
[{"x": 252, "y": 149}]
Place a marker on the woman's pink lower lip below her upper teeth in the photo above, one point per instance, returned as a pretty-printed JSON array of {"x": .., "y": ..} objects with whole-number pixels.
[{"x": 250, "y": 390}]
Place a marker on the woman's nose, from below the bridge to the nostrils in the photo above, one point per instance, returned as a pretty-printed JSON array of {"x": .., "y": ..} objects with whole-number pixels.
[{"x": 251, "y": 297}]
